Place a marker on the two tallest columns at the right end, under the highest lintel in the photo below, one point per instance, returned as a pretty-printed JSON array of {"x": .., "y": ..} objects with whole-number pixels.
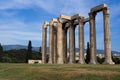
[{"x": 107, "y": 42}]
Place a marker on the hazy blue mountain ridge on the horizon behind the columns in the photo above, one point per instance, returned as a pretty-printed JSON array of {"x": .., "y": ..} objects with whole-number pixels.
[{"x": 17, "y": 47}]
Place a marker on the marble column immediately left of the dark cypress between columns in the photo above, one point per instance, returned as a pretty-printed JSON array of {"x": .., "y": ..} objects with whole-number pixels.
[{"x": 81, "y": 41}]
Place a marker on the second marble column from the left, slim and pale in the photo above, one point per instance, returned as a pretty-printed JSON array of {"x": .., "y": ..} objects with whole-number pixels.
[{"x": 51, "y": 45}]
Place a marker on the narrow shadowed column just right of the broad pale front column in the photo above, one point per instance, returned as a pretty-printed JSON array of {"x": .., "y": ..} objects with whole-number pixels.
[{"x": 65, "y": 45}]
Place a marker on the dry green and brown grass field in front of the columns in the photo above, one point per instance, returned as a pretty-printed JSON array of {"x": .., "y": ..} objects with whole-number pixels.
[{"x": 59, "y": 72}]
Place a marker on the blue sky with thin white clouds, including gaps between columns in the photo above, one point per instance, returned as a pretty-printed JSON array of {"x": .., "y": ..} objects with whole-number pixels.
[{"x": 22, "y": 20}]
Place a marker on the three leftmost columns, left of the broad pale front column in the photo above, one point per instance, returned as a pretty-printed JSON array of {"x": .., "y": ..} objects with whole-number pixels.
[{"x": 52, "y": 44}]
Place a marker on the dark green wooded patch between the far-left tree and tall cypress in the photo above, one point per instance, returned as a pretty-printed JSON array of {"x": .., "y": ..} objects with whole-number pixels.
[{"x": 15, "y": 56}]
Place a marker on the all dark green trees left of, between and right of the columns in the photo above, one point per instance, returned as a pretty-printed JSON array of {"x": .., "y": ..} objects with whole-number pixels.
[{"x": 23, "y": 55}]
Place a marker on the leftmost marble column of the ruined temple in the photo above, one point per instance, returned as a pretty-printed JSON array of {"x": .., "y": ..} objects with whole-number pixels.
[{"x": 44, "y": 41}]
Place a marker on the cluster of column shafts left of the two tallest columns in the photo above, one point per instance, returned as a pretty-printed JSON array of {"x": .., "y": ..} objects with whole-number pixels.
[{"x": 58, "y": 45}]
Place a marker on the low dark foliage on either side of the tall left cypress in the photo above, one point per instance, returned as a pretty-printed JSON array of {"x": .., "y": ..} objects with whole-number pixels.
[{"x": 18, "y": 56}]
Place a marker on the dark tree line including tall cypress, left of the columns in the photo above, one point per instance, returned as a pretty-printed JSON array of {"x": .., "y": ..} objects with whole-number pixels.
[{"x": 19, "y": 56}]
